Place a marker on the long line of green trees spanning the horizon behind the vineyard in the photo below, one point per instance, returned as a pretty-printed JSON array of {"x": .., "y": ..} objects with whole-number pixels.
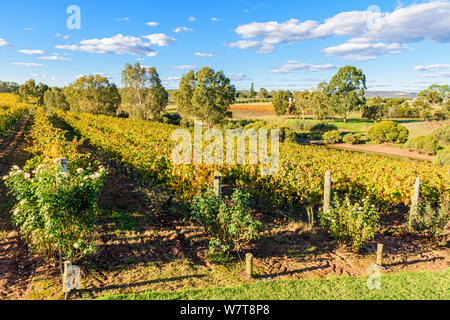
[{"x": 206, "y": 95}]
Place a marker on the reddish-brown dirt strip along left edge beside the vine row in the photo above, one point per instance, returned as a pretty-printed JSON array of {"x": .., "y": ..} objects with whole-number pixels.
[{"x": 16, "y": 267}]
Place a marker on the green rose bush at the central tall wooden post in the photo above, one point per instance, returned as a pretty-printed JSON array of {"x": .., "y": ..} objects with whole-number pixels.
[{"x": 228, "y": 222}]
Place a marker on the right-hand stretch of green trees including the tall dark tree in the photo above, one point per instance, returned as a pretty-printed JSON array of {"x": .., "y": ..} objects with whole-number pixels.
[{"x": 345, "y": 93}]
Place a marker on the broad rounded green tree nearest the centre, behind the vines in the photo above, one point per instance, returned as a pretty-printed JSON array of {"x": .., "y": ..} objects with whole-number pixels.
[{"x": 205, "y": 95}]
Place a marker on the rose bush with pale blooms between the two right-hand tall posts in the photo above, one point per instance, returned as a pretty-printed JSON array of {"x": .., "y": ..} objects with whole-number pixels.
[{"x": 348, "y": 223}]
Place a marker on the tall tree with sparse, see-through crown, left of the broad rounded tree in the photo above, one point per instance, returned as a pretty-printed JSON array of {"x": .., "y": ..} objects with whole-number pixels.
[{"x": 143, "y": 96}]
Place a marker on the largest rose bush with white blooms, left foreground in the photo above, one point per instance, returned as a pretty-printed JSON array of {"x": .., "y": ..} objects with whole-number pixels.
[{"x": 56, "y": 212}]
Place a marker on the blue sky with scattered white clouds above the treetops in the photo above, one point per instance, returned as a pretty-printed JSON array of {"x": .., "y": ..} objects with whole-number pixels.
[{"x": 284, "y": 44}]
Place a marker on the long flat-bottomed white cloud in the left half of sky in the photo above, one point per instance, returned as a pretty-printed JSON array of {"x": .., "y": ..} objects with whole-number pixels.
[{"x": 118, "y": 44}]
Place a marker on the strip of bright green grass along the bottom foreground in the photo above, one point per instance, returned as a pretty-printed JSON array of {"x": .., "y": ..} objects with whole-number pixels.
[{"x": 396, "y": 286}]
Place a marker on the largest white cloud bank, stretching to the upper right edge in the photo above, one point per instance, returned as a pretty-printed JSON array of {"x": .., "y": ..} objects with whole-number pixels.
[{"x": 423, "y": 21}]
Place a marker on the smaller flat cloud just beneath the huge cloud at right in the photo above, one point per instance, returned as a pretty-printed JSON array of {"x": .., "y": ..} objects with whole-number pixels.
[{"x": 363, "y": 51}]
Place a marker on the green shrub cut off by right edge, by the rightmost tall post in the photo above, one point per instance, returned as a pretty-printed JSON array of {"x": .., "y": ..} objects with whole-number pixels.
[{"x": 431, "y": 222}]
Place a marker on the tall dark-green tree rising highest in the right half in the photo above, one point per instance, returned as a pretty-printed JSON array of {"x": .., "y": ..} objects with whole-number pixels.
[{"x": 347, "y": 89}]
